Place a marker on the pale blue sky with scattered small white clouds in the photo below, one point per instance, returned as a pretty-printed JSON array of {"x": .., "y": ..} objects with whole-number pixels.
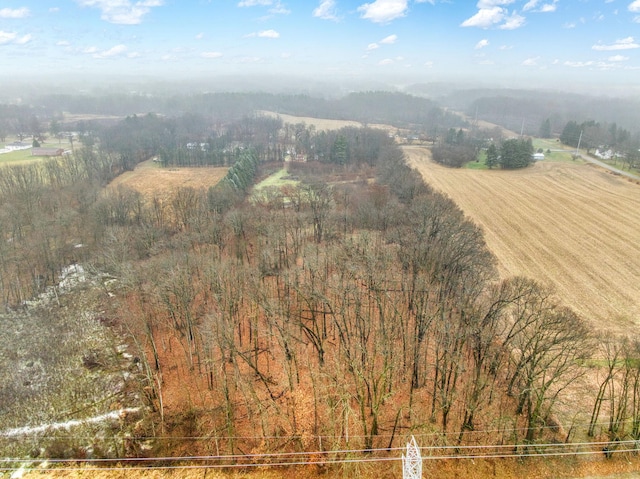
[{"x": 511, "y": 42}]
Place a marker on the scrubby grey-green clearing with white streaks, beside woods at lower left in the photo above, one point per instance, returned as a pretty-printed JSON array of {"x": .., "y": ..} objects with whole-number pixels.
[{"x": 67, "y": 381}]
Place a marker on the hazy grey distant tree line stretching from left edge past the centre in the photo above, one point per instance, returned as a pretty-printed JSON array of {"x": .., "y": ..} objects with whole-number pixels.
[{"x": 398, "y": 109}]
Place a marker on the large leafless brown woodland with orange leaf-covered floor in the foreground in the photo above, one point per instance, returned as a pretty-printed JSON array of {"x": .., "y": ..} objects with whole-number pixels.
[{"x": 343, "y": 312}]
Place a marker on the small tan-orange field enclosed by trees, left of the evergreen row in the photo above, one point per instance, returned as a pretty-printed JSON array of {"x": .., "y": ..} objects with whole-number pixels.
[{"x": 150, "y": 179}]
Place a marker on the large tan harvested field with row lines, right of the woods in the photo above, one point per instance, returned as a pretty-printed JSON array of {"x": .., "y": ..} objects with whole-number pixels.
[{"x": 574, "y": 227}]
